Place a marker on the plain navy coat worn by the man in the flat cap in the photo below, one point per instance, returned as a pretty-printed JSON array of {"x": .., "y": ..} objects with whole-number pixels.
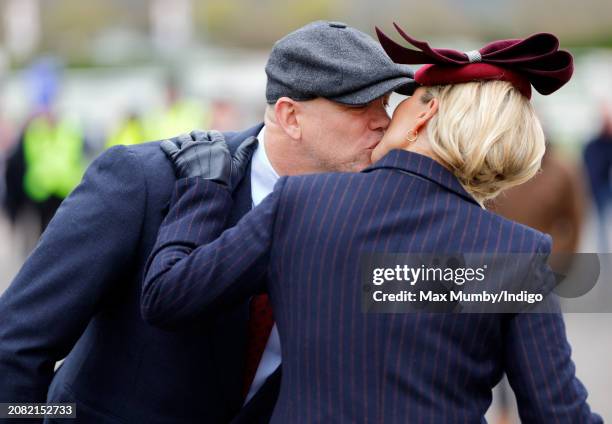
[{"x": 78, "y": 297}]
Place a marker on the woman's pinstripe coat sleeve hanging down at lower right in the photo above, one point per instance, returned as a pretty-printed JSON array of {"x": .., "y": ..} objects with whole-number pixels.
[{"x": 538, "y": 363}]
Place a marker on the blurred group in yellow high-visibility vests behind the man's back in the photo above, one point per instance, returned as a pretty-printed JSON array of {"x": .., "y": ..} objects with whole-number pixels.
[{"x": 43, "y": 158}]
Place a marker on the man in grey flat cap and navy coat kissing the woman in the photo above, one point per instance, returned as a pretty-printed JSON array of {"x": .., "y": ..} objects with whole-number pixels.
[{"x": 78, "y": 295}]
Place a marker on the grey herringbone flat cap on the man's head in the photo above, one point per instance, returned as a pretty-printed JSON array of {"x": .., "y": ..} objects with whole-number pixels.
[{"x": 334, "y": 61}]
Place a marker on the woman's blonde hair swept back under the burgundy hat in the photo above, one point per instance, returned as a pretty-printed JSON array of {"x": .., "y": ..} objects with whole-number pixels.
[{"x": 487, "y": 133}]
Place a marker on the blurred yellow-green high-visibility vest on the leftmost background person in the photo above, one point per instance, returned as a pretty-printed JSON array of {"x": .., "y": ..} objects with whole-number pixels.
[{"x": 53, "y": 157}]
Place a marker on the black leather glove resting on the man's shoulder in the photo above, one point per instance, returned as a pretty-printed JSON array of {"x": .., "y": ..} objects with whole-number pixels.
[{"x": 205, "y": 154}]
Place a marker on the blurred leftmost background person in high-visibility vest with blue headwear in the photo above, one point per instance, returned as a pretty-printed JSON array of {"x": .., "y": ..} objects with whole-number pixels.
[{"x": 47, "y": 160}]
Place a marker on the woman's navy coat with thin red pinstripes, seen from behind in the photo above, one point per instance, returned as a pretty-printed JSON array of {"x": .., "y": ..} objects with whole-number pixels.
[{"x": 339, "y": 364}]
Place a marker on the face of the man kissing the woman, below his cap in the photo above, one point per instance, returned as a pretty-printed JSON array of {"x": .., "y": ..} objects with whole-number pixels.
[{"x": 340, "y": 138}]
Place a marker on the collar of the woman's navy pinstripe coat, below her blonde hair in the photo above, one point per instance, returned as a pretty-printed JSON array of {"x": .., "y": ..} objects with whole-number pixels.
[{"x": 423, "y": 167}]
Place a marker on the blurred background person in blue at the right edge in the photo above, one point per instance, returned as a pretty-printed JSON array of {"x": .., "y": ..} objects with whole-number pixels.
[{"x": 598, "y": 163}]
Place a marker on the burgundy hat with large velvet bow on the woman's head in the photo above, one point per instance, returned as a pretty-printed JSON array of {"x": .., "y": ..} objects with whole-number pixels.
[{"x": 535, "y": 60}]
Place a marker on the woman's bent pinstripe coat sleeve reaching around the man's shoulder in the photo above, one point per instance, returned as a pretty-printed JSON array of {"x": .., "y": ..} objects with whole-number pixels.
[{"x": 195, "y": 269}]
